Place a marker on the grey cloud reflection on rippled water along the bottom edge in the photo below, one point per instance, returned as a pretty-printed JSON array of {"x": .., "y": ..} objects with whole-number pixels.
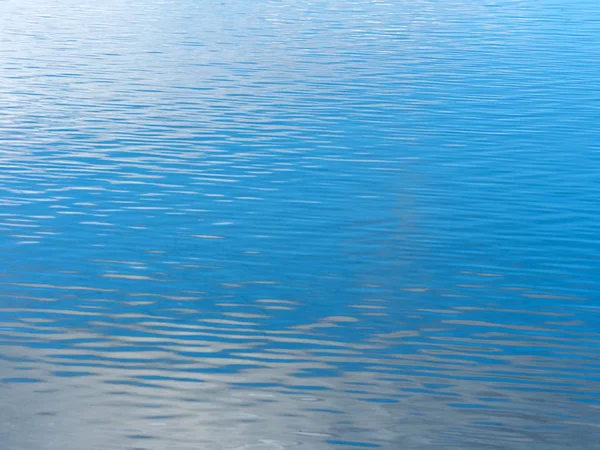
[{"x": 156, "y": 372}]
